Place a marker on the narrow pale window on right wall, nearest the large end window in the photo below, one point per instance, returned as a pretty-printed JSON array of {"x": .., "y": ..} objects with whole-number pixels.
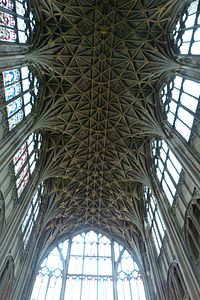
[{"x": 154, "y": 218}]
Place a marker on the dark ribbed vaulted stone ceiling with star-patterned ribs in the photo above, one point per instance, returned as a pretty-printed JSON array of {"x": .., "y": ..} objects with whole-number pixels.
[{"x": 102, "y": 62}]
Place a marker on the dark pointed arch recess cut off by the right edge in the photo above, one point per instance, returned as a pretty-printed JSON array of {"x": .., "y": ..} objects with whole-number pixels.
[{"x": 192, "y": 229}]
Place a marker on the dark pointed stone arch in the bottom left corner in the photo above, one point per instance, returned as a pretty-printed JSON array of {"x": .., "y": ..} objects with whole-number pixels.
[{"x": 6, "y": 278}]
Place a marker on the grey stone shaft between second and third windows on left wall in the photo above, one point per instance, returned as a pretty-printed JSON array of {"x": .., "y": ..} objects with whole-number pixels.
[{"x": 12, "y": 142}]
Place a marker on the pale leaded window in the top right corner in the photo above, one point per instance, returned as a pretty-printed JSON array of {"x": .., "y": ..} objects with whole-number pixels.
[{"x": 186, "y": 33}]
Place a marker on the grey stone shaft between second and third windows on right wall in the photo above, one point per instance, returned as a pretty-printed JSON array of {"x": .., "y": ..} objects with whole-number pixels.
[{"x": 188, "y": 158}]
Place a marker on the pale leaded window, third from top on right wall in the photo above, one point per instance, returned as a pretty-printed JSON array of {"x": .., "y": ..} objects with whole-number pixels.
[{"x": 168, "y": 168}]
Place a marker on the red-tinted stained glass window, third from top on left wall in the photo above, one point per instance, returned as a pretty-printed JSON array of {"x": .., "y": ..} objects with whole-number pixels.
[{"x": 25, "y": 160}]
